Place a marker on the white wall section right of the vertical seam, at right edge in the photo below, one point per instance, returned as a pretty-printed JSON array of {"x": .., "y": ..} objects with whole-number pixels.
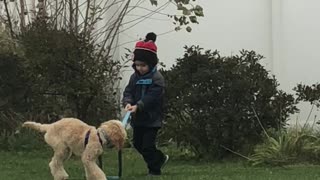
[{"x": 298, "y": 60}]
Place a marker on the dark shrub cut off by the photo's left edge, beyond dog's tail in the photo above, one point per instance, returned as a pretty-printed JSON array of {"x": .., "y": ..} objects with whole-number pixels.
[{"x": 13, "y": 89}]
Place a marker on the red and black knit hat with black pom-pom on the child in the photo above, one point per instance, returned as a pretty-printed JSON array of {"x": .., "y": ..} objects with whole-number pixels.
[{"x": 146, "y": 51}]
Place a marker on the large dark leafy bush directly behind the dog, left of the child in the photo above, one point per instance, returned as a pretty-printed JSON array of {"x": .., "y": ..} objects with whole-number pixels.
[{"x": 68, "y": 77}]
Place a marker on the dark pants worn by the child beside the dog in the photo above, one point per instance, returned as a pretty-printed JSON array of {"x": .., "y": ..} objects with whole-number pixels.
[{"x": 144, "y": 141}]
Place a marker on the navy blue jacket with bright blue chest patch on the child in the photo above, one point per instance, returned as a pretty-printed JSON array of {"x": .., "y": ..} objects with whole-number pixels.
[{"x": 147, "y": 93}]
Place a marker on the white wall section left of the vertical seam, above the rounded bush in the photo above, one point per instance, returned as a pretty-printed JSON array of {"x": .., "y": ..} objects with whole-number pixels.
[{"x": 228, "y": 26}]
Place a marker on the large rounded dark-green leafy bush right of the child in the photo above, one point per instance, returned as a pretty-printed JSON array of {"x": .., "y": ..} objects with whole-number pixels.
[{"x": 214, "y": 101}]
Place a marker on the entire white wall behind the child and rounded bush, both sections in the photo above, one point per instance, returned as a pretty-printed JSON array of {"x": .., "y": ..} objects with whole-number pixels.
[{"x": 286, "y": 32}]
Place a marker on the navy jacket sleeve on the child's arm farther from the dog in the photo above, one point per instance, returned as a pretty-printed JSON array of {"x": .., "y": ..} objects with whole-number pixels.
[{"x": 153, "y": 97}]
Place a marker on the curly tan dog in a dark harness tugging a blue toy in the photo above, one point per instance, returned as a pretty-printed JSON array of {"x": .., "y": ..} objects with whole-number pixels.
[{"x": 67, "y": 136}]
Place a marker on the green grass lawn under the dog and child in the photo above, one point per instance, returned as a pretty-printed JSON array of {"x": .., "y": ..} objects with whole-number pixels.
[{"x": 34, "y": 166}]
